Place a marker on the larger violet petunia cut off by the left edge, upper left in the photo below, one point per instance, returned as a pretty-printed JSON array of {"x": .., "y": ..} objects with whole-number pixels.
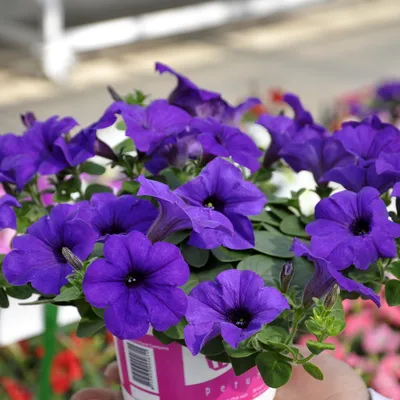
[{"x": 17, "y": 164}]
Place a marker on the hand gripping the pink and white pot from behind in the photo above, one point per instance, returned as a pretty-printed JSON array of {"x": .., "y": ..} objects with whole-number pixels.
[{"x": 341, "y": 382}]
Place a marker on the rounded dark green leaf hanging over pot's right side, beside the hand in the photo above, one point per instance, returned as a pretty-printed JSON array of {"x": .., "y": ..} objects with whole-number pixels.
[{"x": 274, "y": 371}]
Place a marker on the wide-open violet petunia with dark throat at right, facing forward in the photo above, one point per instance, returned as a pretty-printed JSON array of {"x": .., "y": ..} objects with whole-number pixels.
[{"x": 353, "y": 228}]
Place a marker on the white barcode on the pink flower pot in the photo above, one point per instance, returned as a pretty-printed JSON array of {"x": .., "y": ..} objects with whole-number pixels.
[{"x": 142, "y": 368}]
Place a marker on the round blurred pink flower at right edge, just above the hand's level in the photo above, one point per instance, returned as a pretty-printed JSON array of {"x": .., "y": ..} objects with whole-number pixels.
[{"x": 382, "y": 339}]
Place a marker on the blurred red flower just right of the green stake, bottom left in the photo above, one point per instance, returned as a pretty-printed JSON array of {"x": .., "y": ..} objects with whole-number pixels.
[{"x": 66, "y": 369}]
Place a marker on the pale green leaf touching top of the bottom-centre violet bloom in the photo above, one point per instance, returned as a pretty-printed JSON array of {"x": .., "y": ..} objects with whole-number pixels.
[{"x": 267, "y": 267}]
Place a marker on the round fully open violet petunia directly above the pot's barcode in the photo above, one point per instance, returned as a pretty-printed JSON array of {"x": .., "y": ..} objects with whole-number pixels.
[{"x": 137, "y": 283}]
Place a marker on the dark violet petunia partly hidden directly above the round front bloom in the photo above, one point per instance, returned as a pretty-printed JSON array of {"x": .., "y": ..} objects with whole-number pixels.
[{"x": 113, "y": 215}]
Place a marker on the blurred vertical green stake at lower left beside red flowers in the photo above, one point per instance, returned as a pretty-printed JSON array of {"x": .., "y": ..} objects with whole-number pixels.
[{"x": 49, "y": 344}]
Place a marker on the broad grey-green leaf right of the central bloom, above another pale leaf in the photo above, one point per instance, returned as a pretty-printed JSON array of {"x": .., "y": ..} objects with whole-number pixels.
[{"x": 273, "y": 244}]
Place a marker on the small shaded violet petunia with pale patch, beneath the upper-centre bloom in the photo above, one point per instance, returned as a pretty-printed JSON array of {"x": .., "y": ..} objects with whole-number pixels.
[{"x": 173, "y": 151}]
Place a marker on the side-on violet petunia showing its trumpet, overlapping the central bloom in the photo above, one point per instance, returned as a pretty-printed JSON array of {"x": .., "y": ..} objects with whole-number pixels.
[{"x": 175, "y": 215}]
